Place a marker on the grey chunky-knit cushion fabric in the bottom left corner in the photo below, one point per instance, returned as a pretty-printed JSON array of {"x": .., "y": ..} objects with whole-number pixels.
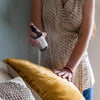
[{"x": 14, "y": 91}]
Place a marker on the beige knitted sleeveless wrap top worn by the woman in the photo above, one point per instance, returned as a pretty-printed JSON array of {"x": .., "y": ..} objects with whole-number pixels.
[{"x": 62, "y": 25}]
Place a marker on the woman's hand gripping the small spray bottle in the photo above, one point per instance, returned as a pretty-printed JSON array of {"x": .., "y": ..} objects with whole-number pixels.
[{"x": 33, "y": 41}]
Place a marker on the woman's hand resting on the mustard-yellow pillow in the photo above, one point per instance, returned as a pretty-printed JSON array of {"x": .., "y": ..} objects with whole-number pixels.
[{"x": 64, "y": 73}]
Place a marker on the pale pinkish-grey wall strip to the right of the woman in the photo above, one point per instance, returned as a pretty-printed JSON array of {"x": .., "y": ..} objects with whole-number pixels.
[{"x": 94, "y": 53}]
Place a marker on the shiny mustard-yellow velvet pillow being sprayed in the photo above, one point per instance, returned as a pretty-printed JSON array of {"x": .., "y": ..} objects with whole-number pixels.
[{"x": 47, "y": 84}]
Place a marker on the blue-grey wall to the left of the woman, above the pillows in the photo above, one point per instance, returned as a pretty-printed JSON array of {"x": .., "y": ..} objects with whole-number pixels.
[{"x": 14, "y": 25}]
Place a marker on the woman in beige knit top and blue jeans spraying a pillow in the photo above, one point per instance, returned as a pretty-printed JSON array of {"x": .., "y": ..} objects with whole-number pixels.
[{"x": 67, "y": 25}]
